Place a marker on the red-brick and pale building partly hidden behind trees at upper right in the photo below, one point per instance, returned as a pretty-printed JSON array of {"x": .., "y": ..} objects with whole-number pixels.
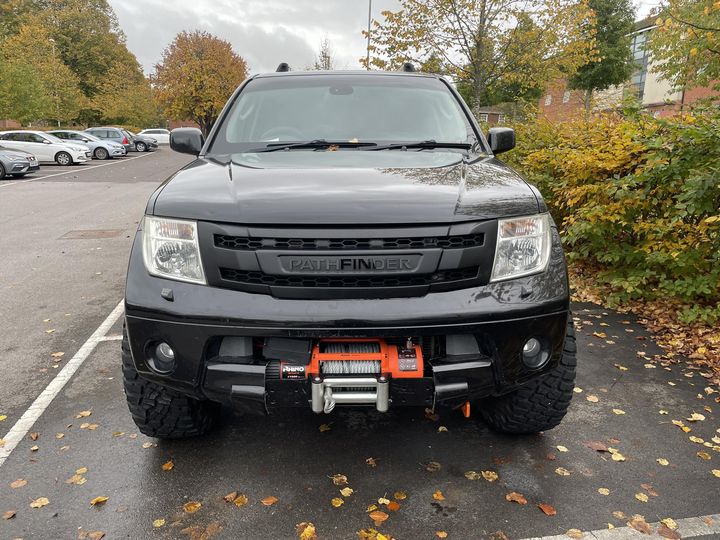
[{"x": 655, "y": 94}]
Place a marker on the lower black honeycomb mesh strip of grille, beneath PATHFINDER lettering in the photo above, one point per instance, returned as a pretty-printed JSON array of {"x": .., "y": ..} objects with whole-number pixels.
[{"x": 260, "y": 278}]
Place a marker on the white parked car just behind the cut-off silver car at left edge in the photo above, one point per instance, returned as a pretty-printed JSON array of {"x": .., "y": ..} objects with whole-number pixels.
[{"x": 46, "y": 147}]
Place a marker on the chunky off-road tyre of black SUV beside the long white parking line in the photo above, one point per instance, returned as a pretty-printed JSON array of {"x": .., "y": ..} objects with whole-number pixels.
[{"x": 161, "y": 412}]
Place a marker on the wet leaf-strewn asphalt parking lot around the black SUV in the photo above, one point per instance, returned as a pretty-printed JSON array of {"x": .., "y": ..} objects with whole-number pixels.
[{"x": 642, "y": 437}]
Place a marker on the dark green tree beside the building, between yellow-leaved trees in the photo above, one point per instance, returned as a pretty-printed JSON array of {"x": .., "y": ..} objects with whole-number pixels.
[{"x": 614, "y": 64}]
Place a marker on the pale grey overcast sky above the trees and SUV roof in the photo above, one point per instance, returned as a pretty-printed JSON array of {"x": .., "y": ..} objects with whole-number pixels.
[{"x": 264, "y": 32}]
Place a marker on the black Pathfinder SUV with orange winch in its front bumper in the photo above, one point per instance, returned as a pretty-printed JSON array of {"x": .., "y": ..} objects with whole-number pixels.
[{"x": 346, "y": 239}]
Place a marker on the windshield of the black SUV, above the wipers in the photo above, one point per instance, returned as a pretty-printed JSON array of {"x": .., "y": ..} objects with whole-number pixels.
[{"x": 380, "y": 109}]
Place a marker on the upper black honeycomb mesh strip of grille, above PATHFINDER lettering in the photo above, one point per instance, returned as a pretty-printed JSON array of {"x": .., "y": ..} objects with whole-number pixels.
[{"x": 244, "y": 243}]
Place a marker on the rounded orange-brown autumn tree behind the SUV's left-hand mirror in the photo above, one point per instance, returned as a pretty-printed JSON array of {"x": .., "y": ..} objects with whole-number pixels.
[{"x": 197, "y": 74}]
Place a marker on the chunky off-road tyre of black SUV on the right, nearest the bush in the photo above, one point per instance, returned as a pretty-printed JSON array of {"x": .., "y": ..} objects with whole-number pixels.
[{"x": 539, "y": 405}]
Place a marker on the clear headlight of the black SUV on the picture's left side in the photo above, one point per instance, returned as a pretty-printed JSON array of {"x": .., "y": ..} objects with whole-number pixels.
[{"x": 170, "y": 249}]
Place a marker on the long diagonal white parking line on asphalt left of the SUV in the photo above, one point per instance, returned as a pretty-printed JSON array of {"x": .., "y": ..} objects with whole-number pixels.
[{"x": 13, "y": 437}]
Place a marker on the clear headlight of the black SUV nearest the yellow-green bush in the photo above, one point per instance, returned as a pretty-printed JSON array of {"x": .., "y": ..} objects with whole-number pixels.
[{"x": 523, "y": 247}]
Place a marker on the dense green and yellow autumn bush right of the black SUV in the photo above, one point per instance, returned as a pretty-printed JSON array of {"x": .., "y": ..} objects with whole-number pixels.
[{"x": 637, "y": 199}]
